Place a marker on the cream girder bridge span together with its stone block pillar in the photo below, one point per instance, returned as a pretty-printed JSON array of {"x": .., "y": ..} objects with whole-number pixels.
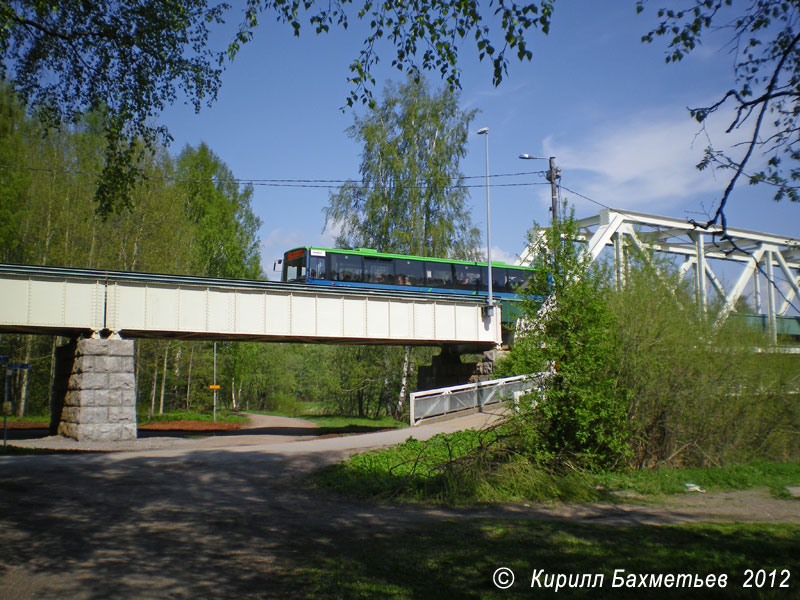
[{"x": 94, "y": 375}]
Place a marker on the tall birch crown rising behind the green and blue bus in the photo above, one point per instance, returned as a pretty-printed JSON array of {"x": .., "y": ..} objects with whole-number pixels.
[{"x": 410, "y": 199}]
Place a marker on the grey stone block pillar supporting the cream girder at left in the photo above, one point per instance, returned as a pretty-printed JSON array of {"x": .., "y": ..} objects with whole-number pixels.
[{"x": 100, "y": 402}]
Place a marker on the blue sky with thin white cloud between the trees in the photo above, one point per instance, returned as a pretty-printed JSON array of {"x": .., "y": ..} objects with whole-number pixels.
[{"x": 594, "y": 96}]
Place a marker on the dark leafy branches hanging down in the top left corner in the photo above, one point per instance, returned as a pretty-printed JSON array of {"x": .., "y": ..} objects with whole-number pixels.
[{"x": 132, "y": 61}]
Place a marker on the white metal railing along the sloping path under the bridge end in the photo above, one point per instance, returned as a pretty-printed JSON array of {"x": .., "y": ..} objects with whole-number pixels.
[{"x": 444, "y": 401}]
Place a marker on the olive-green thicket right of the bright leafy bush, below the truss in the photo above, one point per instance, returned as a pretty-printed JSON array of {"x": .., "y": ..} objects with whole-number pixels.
[{"x": 698, "y": 395}]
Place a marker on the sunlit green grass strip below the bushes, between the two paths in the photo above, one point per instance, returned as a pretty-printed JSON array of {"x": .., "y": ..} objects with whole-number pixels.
[{"x": 456, "y": 469}]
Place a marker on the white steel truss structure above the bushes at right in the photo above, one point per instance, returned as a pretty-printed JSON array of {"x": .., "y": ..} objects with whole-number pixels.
[{"x": 768, "y": 265}]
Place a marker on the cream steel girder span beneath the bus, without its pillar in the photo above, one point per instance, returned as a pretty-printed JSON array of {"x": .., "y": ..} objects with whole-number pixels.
[{"x": 93, "y": 303}]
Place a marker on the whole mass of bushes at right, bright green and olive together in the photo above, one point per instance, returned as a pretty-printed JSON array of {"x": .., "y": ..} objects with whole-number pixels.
[{"x": 638, "y": 377}]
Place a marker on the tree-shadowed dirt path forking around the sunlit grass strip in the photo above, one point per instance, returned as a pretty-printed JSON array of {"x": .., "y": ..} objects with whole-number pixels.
[{"x": 224, "y": 516}]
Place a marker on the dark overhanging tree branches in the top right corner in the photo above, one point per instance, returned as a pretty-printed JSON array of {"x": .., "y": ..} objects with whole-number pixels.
[{"x": 765, "y": 43}]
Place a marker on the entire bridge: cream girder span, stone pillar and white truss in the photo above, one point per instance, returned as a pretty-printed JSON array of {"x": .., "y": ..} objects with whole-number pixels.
[{"x": 108, "y": 309}]
